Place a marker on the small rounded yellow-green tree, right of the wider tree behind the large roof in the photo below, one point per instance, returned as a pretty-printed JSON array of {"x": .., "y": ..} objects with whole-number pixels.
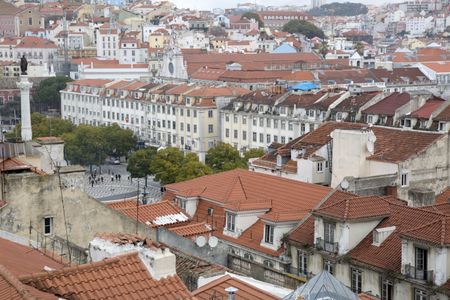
[{"x": 224, "y": 157}]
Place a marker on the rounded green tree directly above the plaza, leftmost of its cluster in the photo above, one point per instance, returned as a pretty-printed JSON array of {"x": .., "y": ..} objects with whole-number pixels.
[{"x": 85, "y": 146}]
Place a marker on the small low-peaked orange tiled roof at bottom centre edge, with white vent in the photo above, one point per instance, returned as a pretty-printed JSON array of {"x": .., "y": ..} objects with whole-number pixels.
[{"x": 216, "y": 288}]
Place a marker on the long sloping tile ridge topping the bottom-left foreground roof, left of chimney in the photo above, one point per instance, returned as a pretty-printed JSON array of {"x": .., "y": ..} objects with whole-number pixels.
[{"x": 78, "y": 268}]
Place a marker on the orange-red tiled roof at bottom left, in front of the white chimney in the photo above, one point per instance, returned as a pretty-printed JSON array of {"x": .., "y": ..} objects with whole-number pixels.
[{"x": 121, "y": 277}]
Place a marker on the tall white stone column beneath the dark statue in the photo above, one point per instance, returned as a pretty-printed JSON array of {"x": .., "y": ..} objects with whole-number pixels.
[{"x": 24, "y": 85}]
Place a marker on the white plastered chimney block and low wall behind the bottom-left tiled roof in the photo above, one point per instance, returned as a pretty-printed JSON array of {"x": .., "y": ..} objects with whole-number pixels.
[{"x": 160, "y": 261}]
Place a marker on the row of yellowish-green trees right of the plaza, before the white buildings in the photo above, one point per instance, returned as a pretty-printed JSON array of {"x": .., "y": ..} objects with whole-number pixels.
[{"x": 172, "y": 165}]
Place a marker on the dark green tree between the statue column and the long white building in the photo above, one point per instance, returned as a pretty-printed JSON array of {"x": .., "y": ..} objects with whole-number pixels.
[{"x": 47, "y": 94}]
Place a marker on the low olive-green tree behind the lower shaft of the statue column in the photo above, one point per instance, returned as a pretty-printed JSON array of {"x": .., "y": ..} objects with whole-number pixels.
[{"x": 42, "y": 125}]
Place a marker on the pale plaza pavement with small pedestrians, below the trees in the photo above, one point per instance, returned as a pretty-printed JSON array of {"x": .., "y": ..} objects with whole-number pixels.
[{"x": 120, "y": 189}]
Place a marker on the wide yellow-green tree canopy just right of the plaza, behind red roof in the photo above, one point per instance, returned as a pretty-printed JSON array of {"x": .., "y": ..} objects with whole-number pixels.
[{"x": 171, "y": 165}]
